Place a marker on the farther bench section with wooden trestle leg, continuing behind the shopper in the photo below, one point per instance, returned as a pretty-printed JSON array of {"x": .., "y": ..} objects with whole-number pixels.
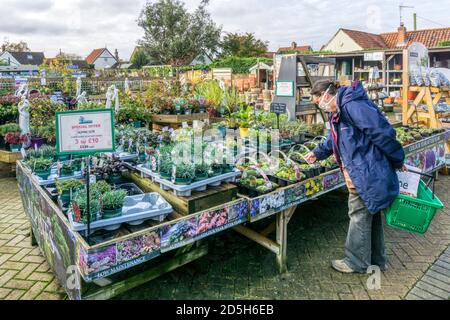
[{"x": 428, "y": 155}]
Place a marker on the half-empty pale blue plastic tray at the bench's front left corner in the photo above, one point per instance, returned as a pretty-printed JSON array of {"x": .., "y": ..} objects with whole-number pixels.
[{"x": 137, "y": 209}]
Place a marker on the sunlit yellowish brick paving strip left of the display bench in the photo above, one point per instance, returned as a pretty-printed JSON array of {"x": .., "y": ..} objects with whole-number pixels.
[{"x": 24, "y": 274}]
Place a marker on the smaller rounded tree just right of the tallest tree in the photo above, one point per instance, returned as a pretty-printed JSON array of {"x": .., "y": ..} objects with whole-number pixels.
[{"x": 243, "y": 45}]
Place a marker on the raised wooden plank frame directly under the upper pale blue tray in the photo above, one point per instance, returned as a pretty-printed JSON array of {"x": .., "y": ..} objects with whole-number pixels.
[{"x": 199, "y": 201}]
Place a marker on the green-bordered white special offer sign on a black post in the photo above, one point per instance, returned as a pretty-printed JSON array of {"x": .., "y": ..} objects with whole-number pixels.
[{"x": 85, "y": 132}]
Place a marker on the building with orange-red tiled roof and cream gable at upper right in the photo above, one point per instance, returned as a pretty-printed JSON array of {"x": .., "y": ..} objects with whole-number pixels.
[{"x": 358, "y": 52}]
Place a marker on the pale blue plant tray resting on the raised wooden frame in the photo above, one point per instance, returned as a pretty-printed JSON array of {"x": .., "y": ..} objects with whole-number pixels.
[{"x": 186, "y": 190}]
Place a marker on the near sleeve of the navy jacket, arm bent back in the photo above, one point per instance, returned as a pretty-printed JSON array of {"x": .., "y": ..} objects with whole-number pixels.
[{"x": 378, "y": 129}]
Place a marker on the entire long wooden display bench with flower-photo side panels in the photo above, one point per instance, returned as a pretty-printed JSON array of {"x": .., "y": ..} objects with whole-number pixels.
[{"x": 113, "y": 263}]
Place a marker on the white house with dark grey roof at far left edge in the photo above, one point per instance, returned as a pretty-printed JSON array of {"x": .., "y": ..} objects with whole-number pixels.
[{"x": 21, "y": 63}]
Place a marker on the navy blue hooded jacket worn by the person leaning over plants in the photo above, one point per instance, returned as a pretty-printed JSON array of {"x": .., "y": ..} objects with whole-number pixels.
[{"x": 368, "y": 148}]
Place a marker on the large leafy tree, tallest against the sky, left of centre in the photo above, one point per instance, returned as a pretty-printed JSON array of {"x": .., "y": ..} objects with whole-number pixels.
[{"x": 175, "y": 36}]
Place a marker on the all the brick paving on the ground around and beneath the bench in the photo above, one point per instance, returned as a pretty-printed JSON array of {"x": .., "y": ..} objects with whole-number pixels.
[{"x": 237, "y": 268}]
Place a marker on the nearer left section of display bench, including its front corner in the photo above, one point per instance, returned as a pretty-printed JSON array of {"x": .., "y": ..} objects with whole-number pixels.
[{"x": 124, "y": 259}]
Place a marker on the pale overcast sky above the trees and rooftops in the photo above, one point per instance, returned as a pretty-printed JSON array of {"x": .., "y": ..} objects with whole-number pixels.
[{"x": 78, "y": 26}]
